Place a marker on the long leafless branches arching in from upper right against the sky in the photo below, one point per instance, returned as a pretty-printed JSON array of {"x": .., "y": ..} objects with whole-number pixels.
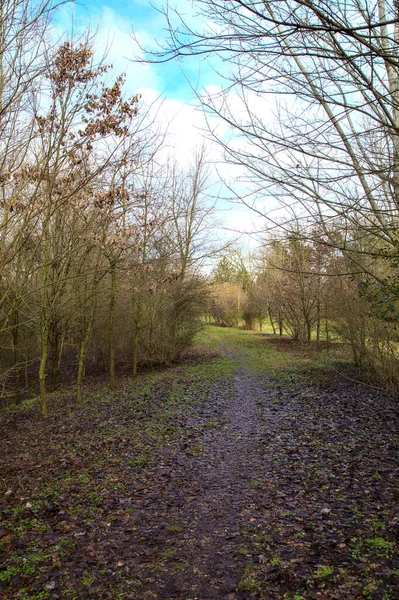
[{"x": 312, "y": 90}]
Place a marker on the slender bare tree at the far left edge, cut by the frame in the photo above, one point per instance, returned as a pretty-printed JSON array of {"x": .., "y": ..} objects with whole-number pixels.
[{"x": 24, "y": 43}]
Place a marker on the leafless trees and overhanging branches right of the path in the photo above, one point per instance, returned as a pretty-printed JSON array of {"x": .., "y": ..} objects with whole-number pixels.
[{"x": 311, "y": 97}]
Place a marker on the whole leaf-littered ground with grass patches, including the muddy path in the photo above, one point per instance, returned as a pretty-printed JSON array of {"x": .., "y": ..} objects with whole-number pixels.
[{"x": 261, "y": 488}]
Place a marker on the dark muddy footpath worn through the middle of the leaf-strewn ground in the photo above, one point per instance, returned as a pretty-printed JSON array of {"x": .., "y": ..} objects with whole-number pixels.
[{"x": 210, "y": 497}]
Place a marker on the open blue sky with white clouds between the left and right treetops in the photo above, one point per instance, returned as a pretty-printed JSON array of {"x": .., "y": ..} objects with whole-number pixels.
[{"x": 168, "y": 87}]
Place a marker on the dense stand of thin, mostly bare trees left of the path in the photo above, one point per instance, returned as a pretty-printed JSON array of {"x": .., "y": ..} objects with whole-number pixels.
[{"x": 100, "y": 244}]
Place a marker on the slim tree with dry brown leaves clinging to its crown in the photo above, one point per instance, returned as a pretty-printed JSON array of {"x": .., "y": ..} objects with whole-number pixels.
[{"x": 77, "y": 139}]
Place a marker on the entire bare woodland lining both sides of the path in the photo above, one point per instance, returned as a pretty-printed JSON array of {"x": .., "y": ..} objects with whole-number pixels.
[{"x": 101, "y": 242}]
